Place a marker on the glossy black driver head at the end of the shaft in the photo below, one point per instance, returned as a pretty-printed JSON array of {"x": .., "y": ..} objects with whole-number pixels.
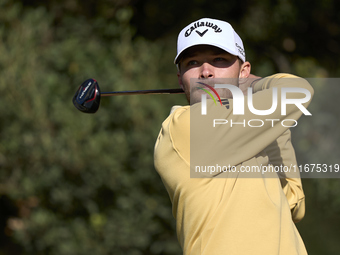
[{"x": 87, "y": 97}]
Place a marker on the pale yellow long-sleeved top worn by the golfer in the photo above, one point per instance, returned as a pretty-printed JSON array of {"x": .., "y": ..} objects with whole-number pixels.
[{"x": 229, "y": 213}]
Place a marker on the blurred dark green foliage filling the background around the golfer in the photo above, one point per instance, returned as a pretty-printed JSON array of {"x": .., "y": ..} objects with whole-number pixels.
[{"x": 72, "y": 183}]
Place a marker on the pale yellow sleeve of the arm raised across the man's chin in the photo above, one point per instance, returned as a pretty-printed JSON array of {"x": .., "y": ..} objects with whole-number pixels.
[{"x": 236, "y": 141}]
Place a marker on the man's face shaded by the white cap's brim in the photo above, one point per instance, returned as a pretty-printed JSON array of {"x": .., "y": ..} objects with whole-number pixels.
[{"x": 208, "y": 63}]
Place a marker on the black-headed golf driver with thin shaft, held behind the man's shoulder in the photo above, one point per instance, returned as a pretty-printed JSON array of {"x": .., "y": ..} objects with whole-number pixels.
[{"x": 87, "y": 97}]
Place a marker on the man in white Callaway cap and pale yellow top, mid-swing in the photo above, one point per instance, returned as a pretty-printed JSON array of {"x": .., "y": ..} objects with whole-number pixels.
[{"x": 230, "y": 211}]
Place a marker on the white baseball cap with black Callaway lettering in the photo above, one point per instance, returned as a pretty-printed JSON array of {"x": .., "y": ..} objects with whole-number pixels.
[{"x": 212, "y": 32}]
